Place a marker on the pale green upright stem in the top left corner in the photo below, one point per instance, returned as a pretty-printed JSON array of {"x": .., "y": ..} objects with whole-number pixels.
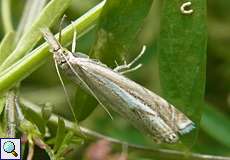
[{"x": 6, "y": 16}]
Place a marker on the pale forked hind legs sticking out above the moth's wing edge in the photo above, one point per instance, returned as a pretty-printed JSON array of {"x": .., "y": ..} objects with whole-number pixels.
[{"x": 125, "y": 68}]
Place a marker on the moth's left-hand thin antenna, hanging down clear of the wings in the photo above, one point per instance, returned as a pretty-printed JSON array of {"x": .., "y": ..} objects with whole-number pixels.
[{"x": 65, "y": 91}]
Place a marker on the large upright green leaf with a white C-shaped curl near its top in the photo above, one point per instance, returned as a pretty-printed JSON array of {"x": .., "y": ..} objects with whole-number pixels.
[{"x": 182, "y": 56}]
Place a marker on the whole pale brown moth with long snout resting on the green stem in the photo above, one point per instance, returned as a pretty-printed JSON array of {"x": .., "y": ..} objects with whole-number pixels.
[{"x": 147, "y": 111}]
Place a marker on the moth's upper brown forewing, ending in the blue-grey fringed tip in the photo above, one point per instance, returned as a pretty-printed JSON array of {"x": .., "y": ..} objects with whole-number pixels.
[{"x": 173, "y": 117}]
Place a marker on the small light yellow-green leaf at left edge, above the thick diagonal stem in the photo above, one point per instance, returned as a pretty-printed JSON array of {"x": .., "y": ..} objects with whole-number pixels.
[{"x": 6, "y": 46}]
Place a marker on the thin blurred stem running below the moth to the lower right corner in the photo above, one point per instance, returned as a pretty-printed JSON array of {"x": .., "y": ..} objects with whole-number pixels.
[{"x": 140, "y": 150}]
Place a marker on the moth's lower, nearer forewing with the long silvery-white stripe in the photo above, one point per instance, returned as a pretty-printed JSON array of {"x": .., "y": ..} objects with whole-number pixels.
[{"x": 131, "y": 108}]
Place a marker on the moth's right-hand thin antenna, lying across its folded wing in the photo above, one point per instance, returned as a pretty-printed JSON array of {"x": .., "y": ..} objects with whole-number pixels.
[{"x": 90, "y": 90}]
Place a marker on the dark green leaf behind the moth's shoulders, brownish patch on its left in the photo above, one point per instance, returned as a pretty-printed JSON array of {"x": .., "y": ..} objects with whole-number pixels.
[{"x": 120, "y": 22}]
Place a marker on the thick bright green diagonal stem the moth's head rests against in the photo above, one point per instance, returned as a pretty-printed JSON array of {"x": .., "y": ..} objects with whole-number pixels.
[{"x": 33, "y": 60}]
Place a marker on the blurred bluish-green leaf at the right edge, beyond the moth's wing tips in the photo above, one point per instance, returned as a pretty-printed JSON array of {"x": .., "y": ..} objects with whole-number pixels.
[{"x": 216, "y": 124}]
